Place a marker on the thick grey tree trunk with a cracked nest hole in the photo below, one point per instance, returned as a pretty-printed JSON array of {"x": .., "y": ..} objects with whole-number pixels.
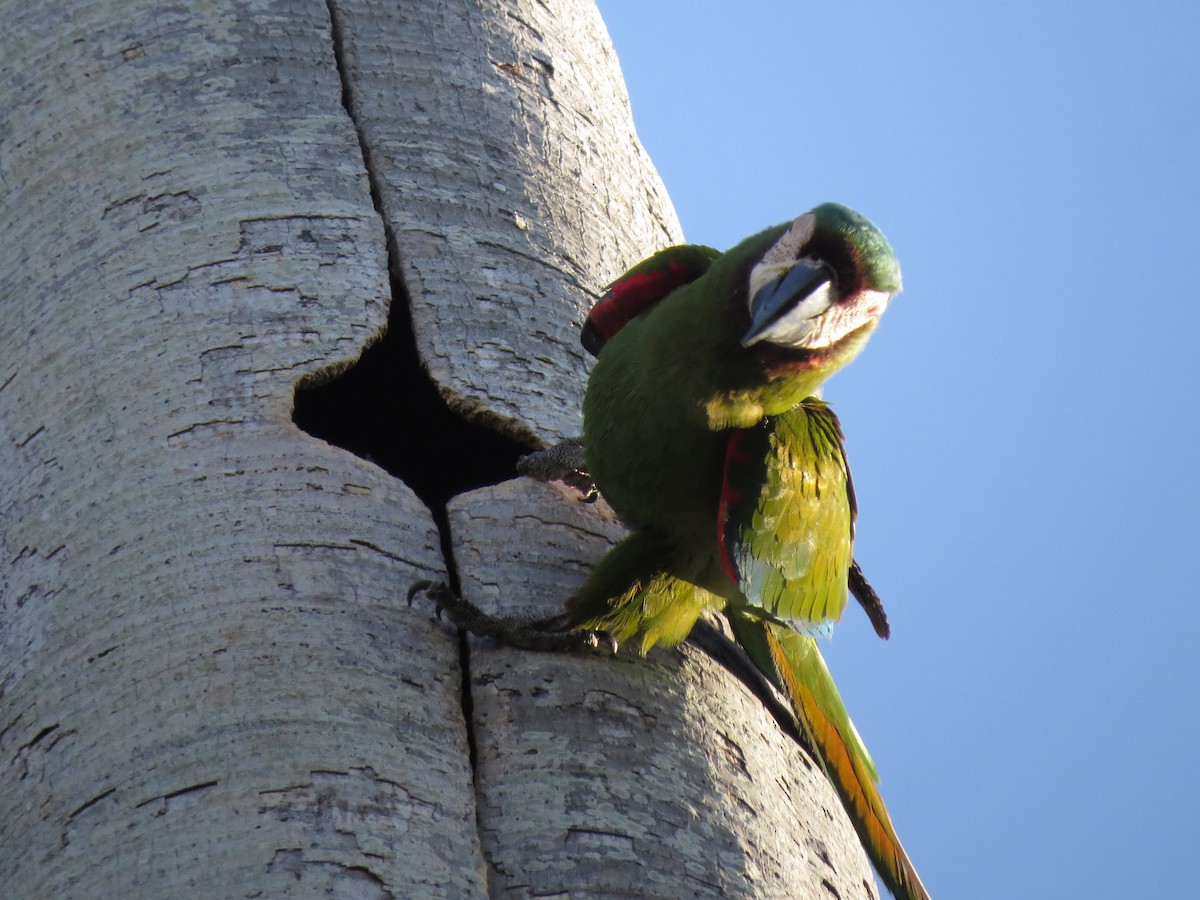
[{"x": 211, "y": 682}]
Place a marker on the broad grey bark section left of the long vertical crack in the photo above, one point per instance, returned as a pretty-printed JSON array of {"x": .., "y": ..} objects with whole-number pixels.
[{"x": 209, "y": 686}]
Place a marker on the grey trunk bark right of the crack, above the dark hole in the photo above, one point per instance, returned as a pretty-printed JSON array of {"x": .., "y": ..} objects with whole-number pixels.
[{"x": 514, "y": 189}]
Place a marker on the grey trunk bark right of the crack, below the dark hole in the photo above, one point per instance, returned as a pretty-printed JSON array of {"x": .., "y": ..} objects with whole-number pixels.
[{"x": 604, "y": 776}]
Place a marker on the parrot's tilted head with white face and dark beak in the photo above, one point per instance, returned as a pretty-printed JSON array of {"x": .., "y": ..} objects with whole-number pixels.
[{"x": 820, "y": 289}]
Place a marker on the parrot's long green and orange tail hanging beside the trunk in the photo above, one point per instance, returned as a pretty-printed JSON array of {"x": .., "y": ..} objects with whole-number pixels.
[{"x": 794, "y": 663}]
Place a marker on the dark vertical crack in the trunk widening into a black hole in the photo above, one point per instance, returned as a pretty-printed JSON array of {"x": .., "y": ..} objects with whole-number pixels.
[{"x": 388, "y": 410}]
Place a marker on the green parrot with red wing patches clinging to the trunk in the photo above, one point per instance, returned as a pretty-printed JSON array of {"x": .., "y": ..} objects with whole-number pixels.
[{"x": 704, "y": 430}]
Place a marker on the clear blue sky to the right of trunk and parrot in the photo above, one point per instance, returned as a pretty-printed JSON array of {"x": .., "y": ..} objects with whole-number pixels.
[{"x": 1024, "y": 428}]
